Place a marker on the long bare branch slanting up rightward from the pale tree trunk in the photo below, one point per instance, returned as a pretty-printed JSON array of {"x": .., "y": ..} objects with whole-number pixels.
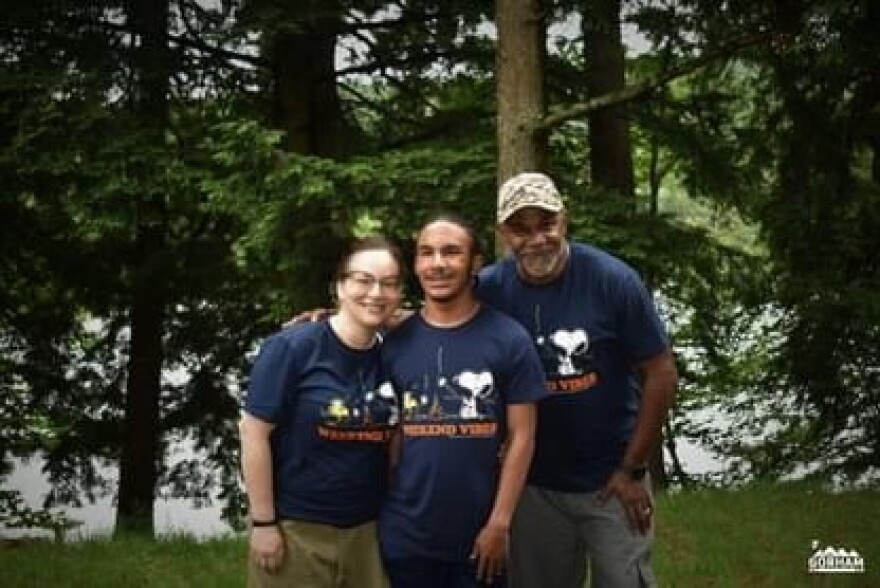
[{"x": 636, "y": 91}]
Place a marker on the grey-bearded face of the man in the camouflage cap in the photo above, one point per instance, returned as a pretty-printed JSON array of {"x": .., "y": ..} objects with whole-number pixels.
[{"x": 536, "y": 237}]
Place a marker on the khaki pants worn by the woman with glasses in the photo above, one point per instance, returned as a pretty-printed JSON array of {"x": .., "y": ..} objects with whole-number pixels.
[{"x": 324, "y": 556}]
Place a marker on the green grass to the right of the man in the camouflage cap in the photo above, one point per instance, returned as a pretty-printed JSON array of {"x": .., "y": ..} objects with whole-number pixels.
[{"x": 762, "y": 536}]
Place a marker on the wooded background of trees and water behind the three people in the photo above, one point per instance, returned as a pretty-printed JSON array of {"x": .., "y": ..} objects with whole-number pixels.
[{"x": 178, "y": 177}]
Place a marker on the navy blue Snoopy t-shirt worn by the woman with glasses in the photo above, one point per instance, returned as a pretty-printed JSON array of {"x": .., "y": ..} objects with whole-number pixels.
[{"x": 333, "y": 423}]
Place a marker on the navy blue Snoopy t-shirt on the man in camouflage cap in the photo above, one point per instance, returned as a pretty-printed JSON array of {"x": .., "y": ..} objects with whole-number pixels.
[{"x": 590, "y": 326}]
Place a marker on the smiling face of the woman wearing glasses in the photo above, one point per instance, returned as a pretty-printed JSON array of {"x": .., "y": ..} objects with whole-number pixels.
[{"x": 370, "y": 288}]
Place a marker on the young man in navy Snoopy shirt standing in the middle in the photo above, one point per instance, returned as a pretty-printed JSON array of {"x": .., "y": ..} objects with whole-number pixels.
[{"x": 468, "y": 378}]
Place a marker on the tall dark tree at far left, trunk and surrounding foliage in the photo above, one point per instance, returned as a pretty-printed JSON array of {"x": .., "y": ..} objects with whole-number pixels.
[{"x": 132, "y": 266}]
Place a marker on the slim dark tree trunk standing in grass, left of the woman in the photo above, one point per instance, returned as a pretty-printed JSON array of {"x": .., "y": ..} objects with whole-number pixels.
[{"x": 138, "y": 467}]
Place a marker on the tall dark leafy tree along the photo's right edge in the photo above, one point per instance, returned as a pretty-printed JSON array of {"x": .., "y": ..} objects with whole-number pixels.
[{"x": 826, "y": 189}]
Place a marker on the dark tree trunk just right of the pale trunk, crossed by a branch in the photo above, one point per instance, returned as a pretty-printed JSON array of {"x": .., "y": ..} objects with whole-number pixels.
[{"x": 611, "y": 165}]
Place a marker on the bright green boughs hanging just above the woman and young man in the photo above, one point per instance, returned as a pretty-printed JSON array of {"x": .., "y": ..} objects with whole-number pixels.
[{"x": 395, "y": 190}]
